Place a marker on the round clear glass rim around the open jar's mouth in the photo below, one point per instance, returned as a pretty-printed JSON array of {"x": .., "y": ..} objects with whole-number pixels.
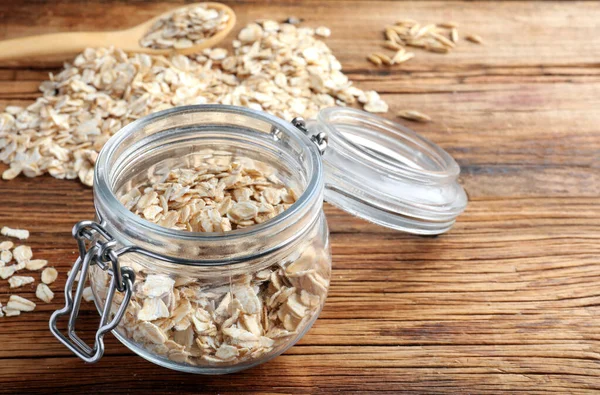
[{"x": 104, "y": 190}]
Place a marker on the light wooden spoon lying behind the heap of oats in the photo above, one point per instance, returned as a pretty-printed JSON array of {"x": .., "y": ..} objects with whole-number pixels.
[{"x": 128, "y": 40}]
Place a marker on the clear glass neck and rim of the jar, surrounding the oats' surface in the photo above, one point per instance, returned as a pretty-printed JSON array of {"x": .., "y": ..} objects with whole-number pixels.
[{"x": 165, "y": 134}]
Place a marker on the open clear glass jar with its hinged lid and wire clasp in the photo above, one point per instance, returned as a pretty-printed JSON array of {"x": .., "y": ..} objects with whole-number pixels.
[{"x": 223, "y": 302}]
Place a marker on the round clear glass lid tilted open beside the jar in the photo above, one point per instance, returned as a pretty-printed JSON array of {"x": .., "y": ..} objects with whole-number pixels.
[{"x": 386, "y": 173}]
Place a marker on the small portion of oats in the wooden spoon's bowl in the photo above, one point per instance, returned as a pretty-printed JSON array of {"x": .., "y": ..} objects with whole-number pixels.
[{"x": 185, "y": 28}]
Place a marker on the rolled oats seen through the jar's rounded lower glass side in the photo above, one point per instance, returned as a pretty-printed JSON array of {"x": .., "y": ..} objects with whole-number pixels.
[{"x": 200, "y": 322}]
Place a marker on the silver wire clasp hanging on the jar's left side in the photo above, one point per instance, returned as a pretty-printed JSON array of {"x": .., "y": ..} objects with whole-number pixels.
[{"x": 100, "y": 253}]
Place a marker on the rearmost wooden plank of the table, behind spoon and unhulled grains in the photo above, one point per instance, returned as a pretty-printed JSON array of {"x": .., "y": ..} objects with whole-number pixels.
[{"x": 502, "y": 24}]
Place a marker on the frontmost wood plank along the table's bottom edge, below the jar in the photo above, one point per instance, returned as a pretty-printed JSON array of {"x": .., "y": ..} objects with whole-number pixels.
[{"x": 305, "y": 374}]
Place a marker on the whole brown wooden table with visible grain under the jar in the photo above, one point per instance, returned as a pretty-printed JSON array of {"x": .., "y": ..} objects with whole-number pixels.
[{"x": 507, "y": 300}]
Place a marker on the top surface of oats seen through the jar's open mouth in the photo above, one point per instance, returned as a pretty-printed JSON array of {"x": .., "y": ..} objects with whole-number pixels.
[{"x": 211, "y": 198}]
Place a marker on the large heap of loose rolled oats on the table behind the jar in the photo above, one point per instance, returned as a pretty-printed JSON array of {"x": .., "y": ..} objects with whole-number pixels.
[{"x": 278, "y": 68}]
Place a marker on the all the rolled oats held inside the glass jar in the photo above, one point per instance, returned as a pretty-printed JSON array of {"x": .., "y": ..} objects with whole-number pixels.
[{"x": 230, "y": 319}]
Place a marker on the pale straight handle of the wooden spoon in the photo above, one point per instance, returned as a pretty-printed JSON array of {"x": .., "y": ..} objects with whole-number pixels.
[{"x": 54, "y": 44}]
